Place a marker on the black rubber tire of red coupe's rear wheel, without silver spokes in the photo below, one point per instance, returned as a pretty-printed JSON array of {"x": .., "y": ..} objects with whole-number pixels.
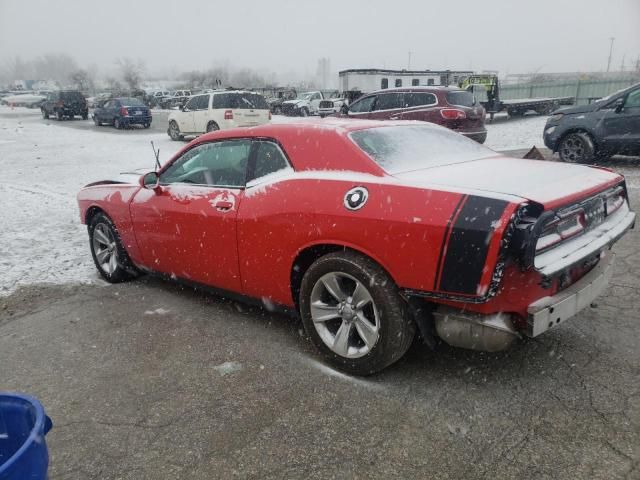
[{"x": 395, "y": 328}]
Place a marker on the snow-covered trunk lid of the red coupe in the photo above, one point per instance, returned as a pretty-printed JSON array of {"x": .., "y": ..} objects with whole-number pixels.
[{"x": 548, "y": 183}]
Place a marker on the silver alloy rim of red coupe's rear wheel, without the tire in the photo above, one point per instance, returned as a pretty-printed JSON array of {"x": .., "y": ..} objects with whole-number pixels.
[{"x": 344, "y": 315}]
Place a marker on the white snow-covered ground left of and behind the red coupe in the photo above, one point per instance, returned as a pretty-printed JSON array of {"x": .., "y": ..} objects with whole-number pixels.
[{"x": 44, "y": 164}]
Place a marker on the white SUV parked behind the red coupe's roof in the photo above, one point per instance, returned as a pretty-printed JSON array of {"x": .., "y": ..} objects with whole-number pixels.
[{"x": 218, "y": 111}]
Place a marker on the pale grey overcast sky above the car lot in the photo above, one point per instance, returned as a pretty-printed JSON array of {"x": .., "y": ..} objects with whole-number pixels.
[{"x": 512, "y": 36}]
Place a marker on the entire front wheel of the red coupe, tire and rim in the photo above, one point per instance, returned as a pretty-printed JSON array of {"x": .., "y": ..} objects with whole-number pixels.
[{"x": 109, "y": 255}]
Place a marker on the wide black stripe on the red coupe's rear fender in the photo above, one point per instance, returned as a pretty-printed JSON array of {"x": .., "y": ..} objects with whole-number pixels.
[{"x": 469, "y": 244}]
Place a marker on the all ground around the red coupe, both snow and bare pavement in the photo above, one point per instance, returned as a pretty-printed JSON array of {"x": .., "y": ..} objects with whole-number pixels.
[{"x": 148, "y": 380}]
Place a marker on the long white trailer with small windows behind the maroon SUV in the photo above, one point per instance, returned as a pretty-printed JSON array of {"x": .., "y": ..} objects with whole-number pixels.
[{"x": 371, "y": 79}]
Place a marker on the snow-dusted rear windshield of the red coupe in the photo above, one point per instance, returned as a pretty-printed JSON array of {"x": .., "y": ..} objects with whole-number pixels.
[{"x": 414, "y": 147}]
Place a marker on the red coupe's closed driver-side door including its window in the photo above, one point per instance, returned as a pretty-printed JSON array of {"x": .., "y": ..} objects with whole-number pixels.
[{"x": 187, "y": 227}]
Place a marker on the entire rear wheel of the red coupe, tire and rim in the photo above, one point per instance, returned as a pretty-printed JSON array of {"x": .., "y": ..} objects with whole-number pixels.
[{"x": 352, "y": 311}]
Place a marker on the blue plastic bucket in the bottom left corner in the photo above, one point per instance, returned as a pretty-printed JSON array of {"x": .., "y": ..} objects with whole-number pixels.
[{"x": 23, "y": 450}]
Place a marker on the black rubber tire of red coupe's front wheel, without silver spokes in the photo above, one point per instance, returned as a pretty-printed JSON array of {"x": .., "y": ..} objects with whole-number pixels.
[{"x": 123, "y": 269}]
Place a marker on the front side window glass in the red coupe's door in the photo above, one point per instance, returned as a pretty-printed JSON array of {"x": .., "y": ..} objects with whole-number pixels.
[{"x": 220, "y": 164}]
